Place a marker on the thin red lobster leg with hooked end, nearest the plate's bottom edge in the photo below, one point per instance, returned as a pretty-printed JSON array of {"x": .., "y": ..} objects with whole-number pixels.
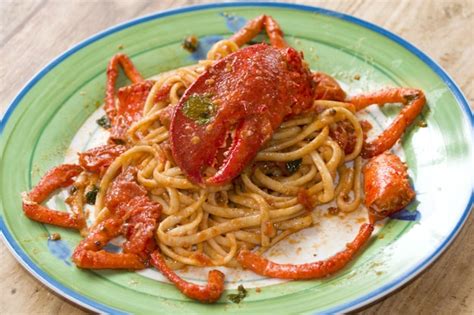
[{"x": 206, "y": 294}]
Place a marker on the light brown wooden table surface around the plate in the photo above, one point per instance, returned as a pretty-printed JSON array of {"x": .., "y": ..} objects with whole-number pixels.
[{"x": 32, "y": 32}]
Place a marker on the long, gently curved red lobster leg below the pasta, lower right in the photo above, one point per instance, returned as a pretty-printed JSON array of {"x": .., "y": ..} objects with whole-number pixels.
[{"x": 314, "y": 270}]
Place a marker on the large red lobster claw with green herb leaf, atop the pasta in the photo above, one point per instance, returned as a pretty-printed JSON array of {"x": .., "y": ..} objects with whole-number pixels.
[{"x": 232, "y": 109}]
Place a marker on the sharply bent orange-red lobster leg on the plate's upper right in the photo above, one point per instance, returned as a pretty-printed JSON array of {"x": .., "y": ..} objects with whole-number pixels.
[{"x": 414, "y": 101}]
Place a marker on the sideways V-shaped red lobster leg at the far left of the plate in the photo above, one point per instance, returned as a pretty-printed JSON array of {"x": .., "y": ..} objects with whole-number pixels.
[{"x": 60, "y": 176}]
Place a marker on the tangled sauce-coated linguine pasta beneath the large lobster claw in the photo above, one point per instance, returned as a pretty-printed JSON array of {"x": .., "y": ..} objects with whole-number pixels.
[{"x": 207, "y": 226}]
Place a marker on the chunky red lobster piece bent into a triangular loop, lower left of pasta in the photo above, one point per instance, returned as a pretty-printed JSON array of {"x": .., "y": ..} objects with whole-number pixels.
[{"x": 134, "y": 216}]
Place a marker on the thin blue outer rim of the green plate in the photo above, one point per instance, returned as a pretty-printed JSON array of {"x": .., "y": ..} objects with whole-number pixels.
[{"x": 23, "y": 258}]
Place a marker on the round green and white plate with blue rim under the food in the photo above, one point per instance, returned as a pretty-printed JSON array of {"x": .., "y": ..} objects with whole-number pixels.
[{"x": 40, "y": 124}]
